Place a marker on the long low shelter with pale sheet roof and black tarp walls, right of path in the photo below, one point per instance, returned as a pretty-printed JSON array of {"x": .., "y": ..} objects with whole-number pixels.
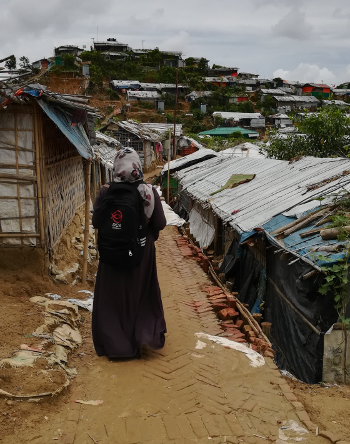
[{"x": 242, "y": 208}]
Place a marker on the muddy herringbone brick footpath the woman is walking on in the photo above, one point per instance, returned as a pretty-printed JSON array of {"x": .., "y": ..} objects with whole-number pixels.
[{"x": 192, "y": 391}]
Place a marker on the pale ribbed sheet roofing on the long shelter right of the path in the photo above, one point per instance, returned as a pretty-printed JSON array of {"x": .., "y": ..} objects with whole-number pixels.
[{"x": 277, "y": 187}]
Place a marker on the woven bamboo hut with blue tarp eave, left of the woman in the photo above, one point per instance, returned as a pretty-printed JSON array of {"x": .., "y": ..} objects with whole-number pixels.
[{"x": 45, "y": 160}]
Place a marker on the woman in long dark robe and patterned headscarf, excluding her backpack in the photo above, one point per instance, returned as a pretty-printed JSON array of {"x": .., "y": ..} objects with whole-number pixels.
[{"x": 128, "y": 310}]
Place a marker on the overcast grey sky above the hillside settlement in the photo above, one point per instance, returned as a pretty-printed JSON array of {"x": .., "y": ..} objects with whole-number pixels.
[{"x": 306, "y": 40}]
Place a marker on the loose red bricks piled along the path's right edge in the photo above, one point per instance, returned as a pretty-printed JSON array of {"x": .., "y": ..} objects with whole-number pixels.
[{"x": 234, "y": 328}]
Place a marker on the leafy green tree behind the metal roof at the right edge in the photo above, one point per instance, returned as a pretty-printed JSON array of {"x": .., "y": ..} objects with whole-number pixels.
[{"x": 319, "y": 135}]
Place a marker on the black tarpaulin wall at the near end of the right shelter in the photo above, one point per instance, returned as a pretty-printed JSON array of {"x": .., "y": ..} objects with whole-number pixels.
[{"x": 298, "y": 348}]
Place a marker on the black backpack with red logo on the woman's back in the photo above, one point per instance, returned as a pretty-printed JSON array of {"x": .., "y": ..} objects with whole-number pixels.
[{"x": 121, "y": 226}]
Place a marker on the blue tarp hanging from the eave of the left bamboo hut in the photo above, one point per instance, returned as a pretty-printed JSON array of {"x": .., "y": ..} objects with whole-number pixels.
[{"x": 76, "y": 135}]
